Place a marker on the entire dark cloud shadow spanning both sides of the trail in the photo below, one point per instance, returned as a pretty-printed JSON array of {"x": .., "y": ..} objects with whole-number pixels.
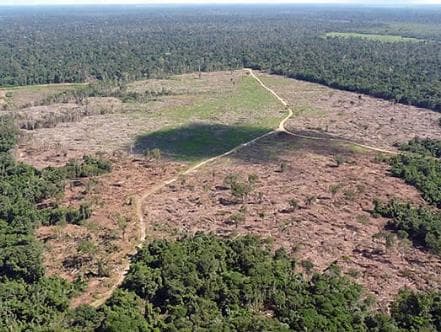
[{"x": 201, "y": 141}]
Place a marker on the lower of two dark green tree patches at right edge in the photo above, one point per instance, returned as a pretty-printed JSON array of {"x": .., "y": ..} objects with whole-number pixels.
[{"x": 419, "y": 224}]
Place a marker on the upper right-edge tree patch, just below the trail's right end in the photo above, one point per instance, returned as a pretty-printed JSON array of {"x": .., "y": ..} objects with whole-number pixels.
[{"x": 420, "y": 169}]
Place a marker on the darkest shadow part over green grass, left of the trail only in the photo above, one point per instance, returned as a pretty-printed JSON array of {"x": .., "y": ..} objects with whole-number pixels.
[{"x": 197, "y": 141}]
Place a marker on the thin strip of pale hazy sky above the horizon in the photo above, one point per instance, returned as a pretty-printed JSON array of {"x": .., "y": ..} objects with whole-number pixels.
[{"x": 365, "y": 2}]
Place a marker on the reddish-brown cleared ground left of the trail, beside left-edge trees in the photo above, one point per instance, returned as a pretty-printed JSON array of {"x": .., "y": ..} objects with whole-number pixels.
[{"x": 112, "y": 196}]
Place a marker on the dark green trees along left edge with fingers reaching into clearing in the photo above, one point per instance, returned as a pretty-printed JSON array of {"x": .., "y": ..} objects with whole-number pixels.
[{"x": 28, "y": 299}]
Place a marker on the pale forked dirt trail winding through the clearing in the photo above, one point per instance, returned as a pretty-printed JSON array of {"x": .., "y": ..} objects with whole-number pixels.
[{"x": 121, "y": 274}]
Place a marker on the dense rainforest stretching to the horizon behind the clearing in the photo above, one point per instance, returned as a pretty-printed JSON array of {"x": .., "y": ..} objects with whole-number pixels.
[{"x": 53, "y": 45}]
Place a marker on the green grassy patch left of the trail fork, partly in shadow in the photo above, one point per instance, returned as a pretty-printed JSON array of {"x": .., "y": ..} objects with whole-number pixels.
[{"x": 215, "y": 124}]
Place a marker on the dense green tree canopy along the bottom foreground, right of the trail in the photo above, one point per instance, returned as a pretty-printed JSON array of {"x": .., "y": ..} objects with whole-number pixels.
[{"x": 205, "y": 283}]
